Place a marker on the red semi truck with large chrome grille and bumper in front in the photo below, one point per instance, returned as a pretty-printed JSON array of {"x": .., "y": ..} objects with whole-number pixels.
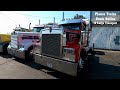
[{"x": 64, "y": 49}]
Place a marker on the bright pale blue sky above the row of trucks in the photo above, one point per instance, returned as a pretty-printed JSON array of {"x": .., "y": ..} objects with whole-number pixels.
[{"x": 10, "y": 19}]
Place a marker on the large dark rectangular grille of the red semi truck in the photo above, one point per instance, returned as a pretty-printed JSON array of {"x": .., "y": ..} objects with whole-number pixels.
[{"x": 51, "y": 45}]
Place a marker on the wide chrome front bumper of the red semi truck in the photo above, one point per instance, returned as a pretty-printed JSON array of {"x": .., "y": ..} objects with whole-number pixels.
[{"x": 56, "y": 64}]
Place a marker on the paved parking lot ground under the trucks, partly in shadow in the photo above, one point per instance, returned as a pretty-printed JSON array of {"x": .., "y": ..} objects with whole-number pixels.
[{"x": 105, "y": 64}]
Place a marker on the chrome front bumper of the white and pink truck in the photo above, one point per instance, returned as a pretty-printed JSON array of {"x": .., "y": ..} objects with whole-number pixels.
[{"x": 16, "y": 53}]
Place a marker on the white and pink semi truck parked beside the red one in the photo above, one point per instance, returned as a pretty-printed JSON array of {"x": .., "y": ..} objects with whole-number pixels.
[{"x": 22, "y": 43}]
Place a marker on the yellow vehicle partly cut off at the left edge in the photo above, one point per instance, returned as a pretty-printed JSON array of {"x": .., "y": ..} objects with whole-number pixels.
[{"x": 4, "y": 42}]
